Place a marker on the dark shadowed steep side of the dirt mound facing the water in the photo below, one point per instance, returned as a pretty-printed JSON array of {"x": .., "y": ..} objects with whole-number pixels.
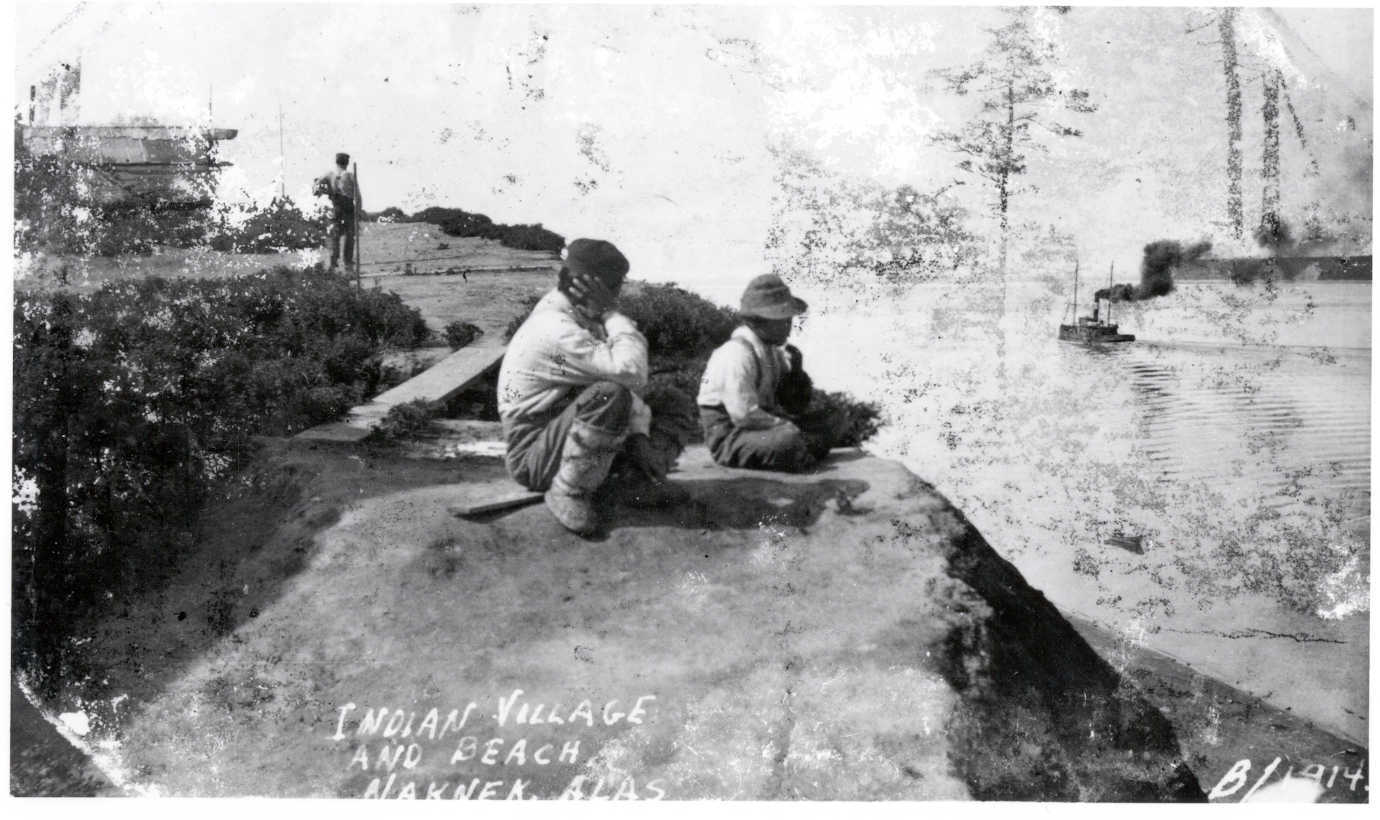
[{"x": 1044, "y": 716}]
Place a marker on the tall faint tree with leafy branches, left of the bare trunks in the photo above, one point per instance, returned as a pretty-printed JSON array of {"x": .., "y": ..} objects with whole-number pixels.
[{"x": 1018, "y": 89}]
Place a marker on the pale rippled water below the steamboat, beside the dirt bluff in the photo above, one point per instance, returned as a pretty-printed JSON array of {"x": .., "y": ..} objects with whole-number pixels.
[{"x": 1204, "y": 491}]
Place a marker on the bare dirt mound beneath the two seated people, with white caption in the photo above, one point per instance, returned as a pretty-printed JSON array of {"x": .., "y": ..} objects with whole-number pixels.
[{"x": 333, "y": 576}]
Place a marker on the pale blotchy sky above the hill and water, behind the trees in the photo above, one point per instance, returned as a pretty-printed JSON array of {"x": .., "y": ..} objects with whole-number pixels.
[{"x": 662, "y": 128}]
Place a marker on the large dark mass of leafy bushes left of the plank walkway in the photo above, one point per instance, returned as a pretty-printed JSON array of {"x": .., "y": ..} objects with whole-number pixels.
[{"x": 135, "y": 401}]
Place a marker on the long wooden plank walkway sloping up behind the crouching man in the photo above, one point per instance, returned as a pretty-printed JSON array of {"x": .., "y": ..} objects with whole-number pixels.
[{"x": 438, "y": 383}]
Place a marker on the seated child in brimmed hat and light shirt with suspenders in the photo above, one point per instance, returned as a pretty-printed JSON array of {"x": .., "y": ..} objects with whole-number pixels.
[{"x": 756, "y": 396}]
